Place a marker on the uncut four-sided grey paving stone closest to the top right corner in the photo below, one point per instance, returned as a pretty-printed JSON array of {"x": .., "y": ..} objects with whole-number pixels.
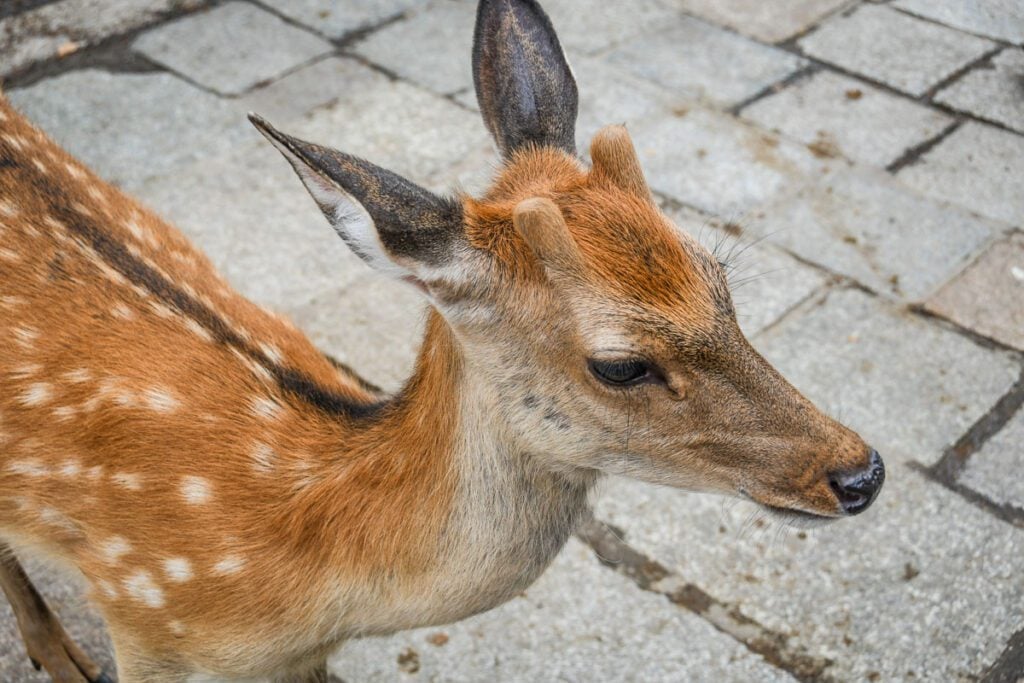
[{"x": 903, "y": 52}]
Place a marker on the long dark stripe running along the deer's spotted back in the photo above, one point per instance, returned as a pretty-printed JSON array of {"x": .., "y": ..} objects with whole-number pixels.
[{"x": 118, "y": 258}]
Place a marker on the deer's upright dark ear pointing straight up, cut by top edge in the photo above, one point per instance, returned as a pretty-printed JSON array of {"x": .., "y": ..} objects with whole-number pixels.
[{"x": 524, "y": 83}]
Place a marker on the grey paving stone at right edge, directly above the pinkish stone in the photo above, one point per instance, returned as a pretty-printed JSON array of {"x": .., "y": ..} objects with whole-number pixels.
[{"x": 978, "y": 167}]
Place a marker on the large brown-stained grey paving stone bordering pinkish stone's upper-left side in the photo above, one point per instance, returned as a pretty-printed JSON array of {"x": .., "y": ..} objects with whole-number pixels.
[{"x": 862, "y": 224}]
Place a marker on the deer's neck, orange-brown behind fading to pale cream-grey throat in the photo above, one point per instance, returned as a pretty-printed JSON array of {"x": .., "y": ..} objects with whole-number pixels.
[{"x": 457, "y": 518}]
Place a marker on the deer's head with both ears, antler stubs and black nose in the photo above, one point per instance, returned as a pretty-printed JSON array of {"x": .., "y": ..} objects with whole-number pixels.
[{"x": 608, "y": 337}]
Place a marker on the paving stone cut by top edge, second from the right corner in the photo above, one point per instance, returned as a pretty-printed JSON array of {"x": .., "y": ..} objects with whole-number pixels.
[{"x": 772, "y": 23}]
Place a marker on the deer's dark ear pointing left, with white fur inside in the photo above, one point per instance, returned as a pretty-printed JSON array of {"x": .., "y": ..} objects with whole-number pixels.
[{"x": 392, "y": 224}]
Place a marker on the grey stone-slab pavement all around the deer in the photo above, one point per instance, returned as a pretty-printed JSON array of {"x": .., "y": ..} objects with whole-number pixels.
[{"x": 872, "y": 153}]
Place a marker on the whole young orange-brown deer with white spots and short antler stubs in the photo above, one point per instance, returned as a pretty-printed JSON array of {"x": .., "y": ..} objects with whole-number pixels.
[{"x": 240, "y": 506}]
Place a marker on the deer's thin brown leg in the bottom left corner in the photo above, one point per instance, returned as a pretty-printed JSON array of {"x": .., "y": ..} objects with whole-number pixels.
[{"x": 49, "y": 645}]
